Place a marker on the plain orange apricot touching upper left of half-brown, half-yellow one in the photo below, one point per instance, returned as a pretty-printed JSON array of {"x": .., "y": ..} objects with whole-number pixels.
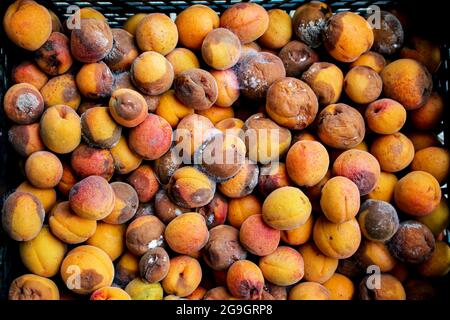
[{"x": 194, "y": 23}]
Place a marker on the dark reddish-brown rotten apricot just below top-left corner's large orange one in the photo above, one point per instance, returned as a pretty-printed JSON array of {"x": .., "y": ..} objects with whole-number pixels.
[{"x": 54, "y": 56}]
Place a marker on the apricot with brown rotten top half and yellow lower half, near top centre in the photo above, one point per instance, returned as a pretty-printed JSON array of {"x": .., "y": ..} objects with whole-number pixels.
[{"x": 221, "y": 49}]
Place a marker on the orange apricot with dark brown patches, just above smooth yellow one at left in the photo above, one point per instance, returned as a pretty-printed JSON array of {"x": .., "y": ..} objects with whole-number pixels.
[{"x": 61, "y": 90}]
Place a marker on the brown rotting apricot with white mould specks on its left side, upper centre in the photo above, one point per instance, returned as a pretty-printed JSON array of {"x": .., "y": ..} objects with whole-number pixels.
[{"x": 257, "y": 72}]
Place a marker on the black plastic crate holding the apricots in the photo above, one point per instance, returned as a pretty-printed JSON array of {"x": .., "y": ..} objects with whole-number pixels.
[{"x": 428, "y": 20}]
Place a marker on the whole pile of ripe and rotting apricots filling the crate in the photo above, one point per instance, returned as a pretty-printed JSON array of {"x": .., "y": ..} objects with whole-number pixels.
[{"x": 332, "y": 168}]
